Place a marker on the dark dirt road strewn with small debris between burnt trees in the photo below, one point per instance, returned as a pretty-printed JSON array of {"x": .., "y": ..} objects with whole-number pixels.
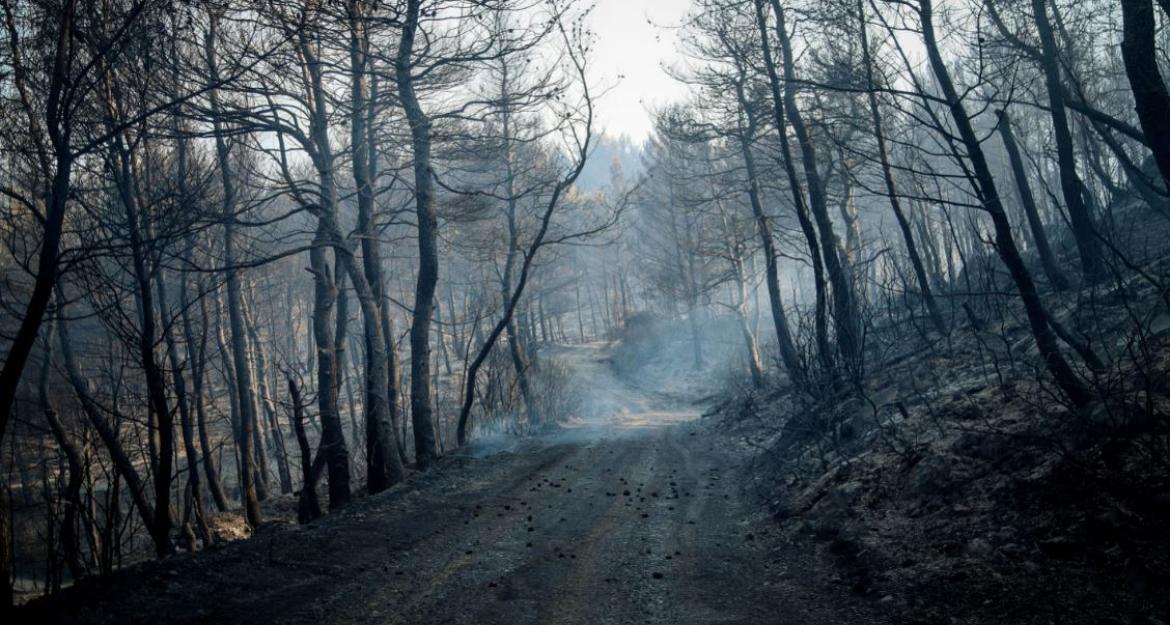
[{"x": 630, "y": 518}]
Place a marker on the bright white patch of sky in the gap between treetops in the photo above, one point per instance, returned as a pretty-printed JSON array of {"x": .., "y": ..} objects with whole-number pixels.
[{"x": 629, "y": 58}]
